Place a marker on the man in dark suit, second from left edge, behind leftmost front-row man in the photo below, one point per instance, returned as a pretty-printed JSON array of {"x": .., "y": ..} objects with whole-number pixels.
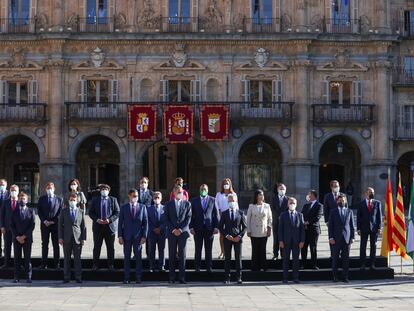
[{"x": 6, "y": 212}]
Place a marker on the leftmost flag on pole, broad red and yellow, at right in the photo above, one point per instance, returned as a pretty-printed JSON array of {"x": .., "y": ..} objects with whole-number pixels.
[{"x": 387, "y": 244}]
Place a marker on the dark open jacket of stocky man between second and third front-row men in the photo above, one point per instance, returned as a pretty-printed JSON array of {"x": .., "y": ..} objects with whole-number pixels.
[{"x": 112, "y": 212}]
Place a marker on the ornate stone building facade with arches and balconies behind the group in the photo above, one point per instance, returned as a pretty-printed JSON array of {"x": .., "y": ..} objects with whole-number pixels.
[{"x": 318, "y": 90}]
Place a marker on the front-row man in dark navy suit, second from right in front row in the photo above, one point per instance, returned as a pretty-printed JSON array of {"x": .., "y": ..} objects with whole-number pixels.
[{"x": 291, "y": 239}]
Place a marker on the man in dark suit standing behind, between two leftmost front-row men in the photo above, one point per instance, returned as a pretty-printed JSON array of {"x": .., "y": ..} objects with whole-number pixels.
[{"x": 48, "y": 209}]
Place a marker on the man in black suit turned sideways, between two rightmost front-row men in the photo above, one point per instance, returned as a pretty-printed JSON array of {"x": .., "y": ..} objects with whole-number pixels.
[{"x": 312, "y": 213}]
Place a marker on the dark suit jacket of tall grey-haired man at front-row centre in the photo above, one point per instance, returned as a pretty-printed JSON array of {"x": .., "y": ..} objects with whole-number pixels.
[{"x": 181, "y": 222}]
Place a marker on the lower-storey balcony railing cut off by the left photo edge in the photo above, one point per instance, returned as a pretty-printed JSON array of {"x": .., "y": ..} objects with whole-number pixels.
[{"x": 35, "y": 112}]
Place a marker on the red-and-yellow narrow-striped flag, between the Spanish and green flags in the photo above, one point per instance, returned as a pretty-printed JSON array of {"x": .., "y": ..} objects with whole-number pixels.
[{"x": 399, "y": 223}]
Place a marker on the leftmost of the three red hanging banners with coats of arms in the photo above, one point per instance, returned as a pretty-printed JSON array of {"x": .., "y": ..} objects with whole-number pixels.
[{"x": 142, "y": 122}]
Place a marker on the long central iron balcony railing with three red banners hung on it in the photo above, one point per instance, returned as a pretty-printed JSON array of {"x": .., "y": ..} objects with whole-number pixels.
[{"x": 118, "y": 111}]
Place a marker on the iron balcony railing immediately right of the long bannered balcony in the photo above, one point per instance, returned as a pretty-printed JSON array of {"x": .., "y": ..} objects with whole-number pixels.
[{"x": 339, "y": 114}]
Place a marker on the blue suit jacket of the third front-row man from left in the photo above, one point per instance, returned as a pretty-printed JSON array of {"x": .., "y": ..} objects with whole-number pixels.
[{"x": 133, "y": 228}]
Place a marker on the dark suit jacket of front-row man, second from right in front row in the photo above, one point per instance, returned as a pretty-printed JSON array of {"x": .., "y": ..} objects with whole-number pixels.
[{"x": 289, "y": 233}]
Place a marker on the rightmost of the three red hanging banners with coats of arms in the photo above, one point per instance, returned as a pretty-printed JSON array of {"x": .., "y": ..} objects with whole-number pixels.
[{"x": 214, "y": 122}]
